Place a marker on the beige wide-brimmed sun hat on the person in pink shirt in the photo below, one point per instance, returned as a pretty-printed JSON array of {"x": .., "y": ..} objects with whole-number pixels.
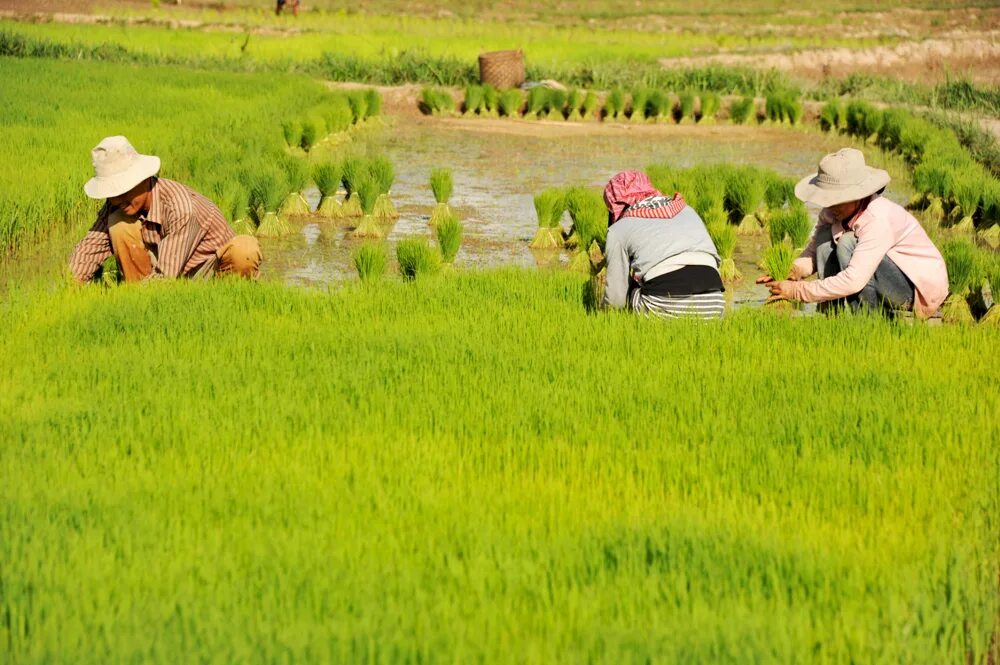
[{"x": 843, "y": 176}]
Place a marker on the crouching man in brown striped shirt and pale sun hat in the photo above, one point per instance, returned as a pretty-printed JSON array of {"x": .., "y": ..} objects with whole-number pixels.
[{"x": 155, "y": 227}]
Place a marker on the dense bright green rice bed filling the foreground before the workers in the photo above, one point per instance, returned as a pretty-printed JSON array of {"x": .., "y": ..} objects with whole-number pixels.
[{"x": 432, "y": 471}]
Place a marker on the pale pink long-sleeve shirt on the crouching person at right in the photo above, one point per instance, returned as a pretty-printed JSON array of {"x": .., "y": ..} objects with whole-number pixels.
[{"x": 883, "y": 229}]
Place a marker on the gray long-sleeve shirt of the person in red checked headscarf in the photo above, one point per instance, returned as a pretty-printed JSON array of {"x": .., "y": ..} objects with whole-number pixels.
[{"x": 635, "y": 245}]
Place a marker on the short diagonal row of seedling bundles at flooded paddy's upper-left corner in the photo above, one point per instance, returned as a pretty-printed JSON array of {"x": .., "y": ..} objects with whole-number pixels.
[{"x": 341, "y": 112}]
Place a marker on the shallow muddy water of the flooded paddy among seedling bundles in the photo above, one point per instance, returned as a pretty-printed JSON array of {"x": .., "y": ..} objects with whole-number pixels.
[{"x": 497, "y": 166}]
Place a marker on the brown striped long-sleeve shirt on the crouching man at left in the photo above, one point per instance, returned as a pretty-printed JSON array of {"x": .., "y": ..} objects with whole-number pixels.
[{"x": 182, "y": 229}]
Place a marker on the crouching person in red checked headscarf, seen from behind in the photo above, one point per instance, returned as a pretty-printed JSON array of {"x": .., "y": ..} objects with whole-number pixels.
[{"x": 660, "y": 258}]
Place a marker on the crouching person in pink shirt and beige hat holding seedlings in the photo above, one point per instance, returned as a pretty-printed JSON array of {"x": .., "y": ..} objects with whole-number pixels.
[{"x": 867, "y": 251}]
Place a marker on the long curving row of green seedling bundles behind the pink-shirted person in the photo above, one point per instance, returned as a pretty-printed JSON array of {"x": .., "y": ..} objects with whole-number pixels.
[{"x": 951, "y": 187}]
